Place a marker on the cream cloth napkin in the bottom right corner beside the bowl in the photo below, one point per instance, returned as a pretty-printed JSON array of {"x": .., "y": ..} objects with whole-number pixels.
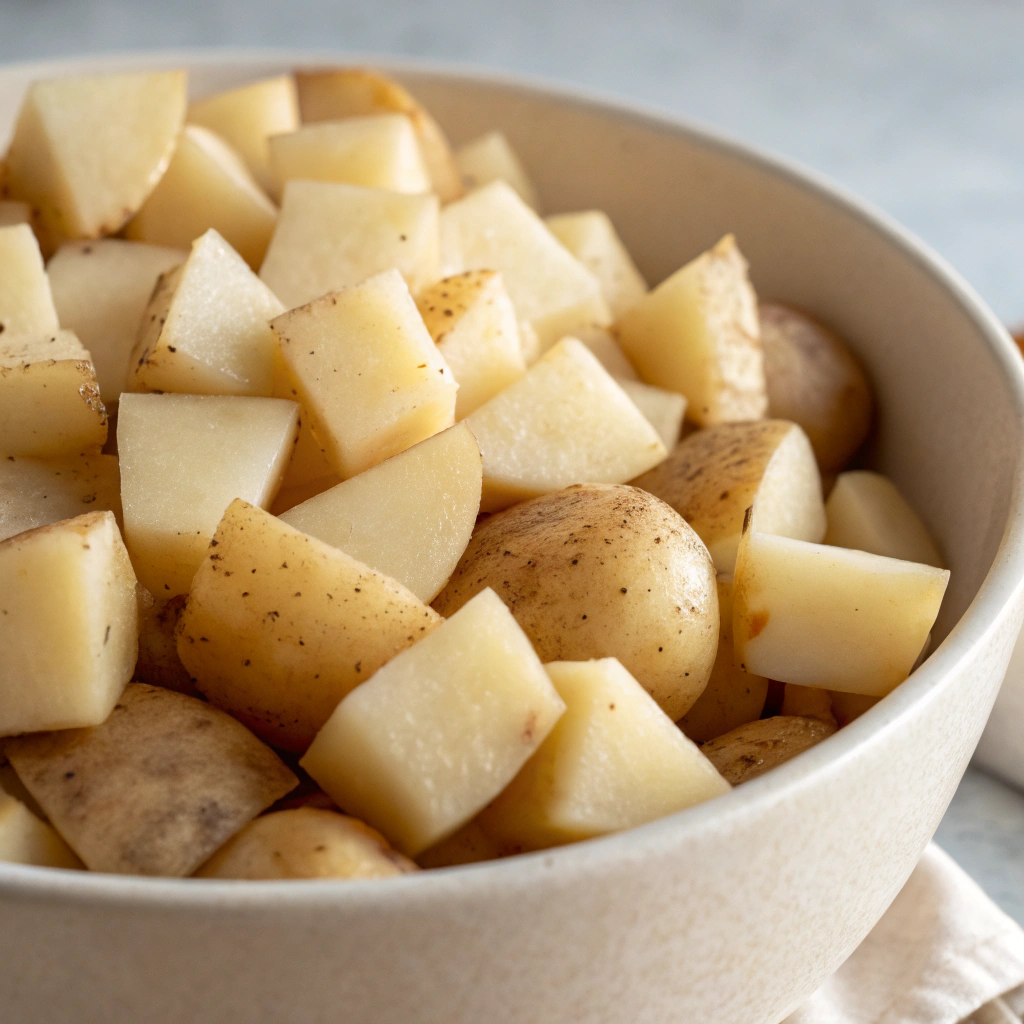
[{"x": 944, "y": 954}]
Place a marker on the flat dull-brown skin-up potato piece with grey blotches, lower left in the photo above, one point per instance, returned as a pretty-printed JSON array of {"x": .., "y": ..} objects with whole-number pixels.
[{"x": 156, "y": 789}]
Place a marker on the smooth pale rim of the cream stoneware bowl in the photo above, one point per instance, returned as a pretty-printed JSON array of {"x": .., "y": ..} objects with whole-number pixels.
[{"x": 996, "y": 595}]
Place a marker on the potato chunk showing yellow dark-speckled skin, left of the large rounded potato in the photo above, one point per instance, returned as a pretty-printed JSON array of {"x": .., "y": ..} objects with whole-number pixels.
[{"x": 280, "y": 627}]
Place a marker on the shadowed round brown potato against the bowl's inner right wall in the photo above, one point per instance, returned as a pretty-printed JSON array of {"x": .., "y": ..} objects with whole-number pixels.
[{"x": 816, "y": 380}]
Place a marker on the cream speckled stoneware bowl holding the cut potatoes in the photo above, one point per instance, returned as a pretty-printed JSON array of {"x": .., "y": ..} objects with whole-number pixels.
[{"x": 732, "y": 912}]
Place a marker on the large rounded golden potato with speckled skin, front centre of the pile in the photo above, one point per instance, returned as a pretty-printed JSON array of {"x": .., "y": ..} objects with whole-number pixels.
[{"x": 600, "y": 571}]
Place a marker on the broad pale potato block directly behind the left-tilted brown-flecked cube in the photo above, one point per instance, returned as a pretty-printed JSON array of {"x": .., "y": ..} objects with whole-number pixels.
[{"x": 331, "y": 236}]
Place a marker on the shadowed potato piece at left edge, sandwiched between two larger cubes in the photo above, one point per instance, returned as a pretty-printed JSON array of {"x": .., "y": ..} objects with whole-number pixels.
[{"x": 37, "y": 493}]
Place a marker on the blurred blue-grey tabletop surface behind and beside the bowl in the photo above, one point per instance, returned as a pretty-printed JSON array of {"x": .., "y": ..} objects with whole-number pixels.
[{"x": 916, "y": 106}]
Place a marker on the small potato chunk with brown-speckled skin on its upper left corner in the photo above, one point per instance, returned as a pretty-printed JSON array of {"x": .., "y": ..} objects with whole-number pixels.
[{"x": 473, "y": 321}]
